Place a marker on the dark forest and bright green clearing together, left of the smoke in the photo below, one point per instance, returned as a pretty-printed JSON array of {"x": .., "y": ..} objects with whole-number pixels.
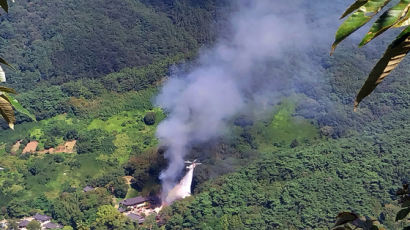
[{"x": 59, "y": 74}]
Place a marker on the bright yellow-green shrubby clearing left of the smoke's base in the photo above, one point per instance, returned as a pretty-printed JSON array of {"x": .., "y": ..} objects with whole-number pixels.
[{"x": 51, "y": 181}]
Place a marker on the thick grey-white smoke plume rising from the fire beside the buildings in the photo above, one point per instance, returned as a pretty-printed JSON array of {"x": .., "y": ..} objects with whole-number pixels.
[{"x": 237, "y": 71}]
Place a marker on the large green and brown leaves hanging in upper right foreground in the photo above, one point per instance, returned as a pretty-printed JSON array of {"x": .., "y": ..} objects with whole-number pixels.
[{"x": 362, "y": 11}]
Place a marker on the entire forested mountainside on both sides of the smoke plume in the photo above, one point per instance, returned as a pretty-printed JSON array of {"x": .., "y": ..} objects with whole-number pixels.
[{"x": 89, "y": 72}]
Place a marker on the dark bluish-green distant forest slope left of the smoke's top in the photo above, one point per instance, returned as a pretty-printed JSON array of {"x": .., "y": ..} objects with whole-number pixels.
[{"x": 139, "y": 35}]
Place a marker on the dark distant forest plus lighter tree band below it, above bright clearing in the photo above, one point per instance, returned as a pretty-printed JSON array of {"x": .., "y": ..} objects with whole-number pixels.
[{"x": 64, "y": 48}]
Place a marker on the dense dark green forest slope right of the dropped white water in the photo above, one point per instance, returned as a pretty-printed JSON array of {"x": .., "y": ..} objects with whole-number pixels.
[{"x": 299, "y": 188}]
